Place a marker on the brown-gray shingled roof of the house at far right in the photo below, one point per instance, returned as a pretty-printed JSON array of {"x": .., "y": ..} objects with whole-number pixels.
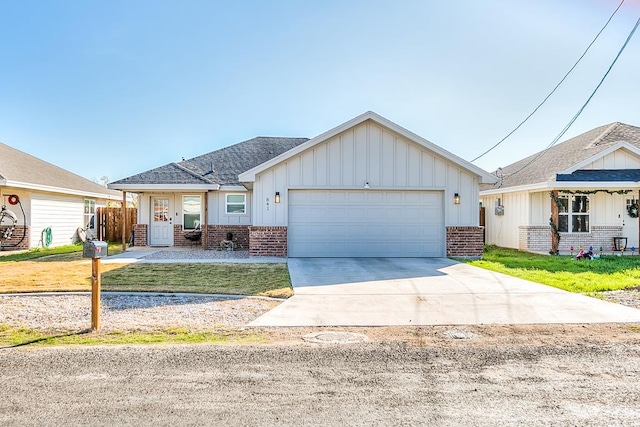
[{"x": 566, "y": 154}]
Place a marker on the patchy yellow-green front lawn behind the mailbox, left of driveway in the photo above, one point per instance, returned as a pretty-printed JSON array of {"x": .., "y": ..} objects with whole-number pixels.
[{"x": 66, "y": 270}]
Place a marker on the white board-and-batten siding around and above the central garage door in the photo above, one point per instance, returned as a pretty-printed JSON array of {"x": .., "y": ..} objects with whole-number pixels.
[{"x": 367, "y": 153}]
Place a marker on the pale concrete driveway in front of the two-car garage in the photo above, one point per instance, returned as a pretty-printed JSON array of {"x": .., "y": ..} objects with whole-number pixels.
[{"x": 426, "y": 291}]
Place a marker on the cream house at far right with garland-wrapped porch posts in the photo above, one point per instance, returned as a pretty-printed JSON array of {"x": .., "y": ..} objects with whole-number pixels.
[{"x": 585, "y": 188}]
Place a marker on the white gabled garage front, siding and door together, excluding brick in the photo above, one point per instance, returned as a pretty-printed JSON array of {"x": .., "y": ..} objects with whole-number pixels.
[{"x": 327, "y": 183}]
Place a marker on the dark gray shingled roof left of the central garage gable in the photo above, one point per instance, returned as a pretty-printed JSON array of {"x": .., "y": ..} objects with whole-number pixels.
[{"x": 218, "y": 167}]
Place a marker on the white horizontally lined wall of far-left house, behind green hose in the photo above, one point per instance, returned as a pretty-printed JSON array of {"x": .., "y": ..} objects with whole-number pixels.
[{"x": 61, "y": 213}]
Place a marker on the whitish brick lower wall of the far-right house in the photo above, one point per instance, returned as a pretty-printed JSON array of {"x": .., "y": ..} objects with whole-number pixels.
[{"x": 538, "y": 238}]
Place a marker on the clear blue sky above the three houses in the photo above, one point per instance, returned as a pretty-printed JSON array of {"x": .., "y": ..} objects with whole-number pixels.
[{"x": 114, "y": 88}]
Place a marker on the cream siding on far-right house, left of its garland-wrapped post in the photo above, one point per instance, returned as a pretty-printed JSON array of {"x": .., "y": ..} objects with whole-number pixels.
[{"x": 503, "y": 230}]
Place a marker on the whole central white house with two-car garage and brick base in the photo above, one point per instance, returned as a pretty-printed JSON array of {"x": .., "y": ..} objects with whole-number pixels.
[{"x": 367, "y": 188}]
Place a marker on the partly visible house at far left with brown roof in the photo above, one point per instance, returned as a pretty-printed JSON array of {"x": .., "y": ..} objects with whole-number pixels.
[{"x": 51, "y": 203}]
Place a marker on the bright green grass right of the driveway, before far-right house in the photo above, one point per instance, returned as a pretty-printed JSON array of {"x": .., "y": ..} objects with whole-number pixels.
[{"x": 605, "y": 274}]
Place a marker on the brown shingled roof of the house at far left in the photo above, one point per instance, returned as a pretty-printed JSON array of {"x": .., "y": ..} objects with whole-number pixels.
[{"x": 22, "y": 170}]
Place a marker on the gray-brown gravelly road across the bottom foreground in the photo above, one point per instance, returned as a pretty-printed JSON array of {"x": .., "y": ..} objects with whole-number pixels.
[{"x": 364, "y": 384}]
